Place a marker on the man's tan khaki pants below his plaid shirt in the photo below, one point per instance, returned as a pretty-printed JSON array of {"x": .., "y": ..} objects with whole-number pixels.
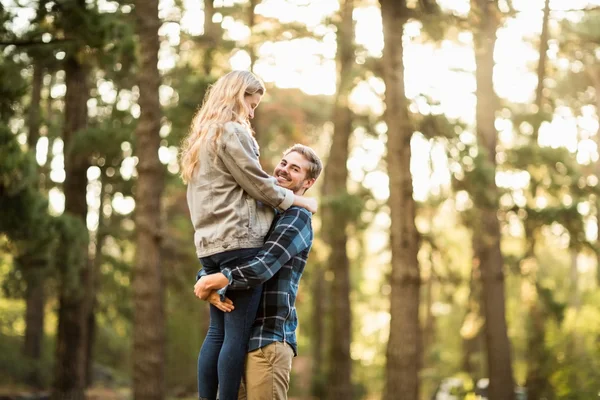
[{"x": 267, "y": 375}]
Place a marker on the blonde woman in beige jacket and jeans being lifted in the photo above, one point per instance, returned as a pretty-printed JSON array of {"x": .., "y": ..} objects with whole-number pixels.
[{"x": 231, "y": 201}]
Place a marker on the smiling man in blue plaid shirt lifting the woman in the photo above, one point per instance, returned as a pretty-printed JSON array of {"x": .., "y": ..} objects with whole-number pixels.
[{"x": 279, "y": 265}]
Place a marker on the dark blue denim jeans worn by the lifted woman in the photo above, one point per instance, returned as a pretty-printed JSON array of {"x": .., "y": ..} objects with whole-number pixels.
[{"x": 223, "y": 353}]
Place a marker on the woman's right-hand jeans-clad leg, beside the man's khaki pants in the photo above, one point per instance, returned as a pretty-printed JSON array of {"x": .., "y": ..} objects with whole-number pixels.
[{"x": 238, "y": 324}]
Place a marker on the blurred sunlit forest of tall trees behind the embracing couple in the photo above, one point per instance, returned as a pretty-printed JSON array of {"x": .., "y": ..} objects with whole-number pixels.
[{"x": 457, "y": 238}]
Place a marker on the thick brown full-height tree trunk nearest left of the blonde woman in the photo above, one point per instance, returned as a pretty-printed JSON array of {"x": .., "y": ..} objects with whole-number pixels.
[{"x": 147, "y": 280}]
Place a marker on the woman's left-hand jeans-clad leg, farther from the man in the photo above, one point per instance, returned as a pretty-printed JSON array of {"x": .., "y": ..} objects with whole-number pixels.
[{"x": 208, "y": 378}]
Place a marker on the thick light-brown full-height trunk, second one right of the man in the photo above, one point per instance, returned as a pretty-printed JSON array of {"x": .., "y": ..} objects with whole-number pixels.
[{"x": 402, "y": 373}]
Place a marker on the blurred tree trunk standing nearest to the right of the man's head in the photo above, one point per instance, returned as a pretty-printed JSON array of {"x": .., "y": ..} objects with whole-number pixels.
[{"x": 335, "y": 217}]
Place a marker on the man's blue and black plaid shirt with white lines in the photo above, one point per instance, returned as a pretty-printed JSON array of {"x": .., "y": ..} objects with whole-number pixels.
[{"x": 279, "y": 265}]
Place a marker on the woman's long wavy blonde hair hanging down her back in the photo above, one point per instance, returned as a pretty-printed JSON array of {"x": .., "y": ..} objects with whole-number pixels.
[{"x": 224, "y": 102}]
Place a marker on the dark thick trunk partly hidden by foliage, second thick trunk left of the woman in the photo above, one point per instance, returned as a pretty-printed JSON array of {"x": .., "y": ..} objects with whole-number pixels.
[{"x": 72, "y": 326}]
